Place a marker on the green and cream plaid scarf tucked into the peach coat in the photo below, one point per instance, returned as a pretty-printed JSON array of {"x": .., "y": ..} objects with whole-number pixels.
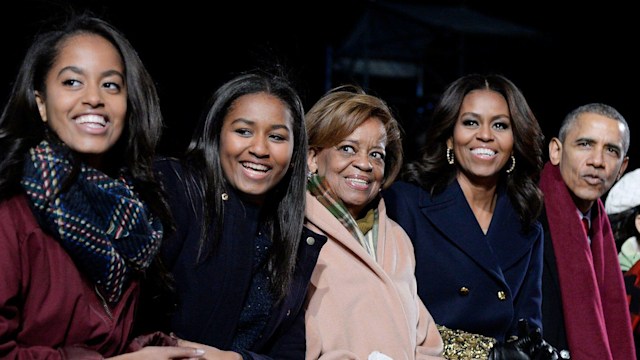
[{"x": 319, "y": 188}]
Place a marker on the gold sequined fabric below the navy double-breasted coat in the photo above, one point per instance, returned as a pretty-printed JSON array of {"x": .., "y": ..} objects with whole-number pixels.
[{"x": 462, "y": 345}]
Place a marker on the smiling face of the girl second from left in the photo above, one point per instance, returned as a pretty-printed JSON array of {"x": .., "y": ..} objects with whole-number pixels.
[{"x": 256, "y": 144}]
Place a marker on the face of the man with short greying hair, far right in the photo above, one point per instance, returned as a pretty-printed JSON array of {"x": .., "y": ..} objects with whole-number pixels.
[{"x": 590, "y": 158}]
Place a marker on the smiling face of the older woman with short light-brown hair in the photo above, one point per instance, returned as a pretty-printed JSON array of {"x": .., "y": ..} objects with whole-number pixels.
[{"x": 354, "y": 168}]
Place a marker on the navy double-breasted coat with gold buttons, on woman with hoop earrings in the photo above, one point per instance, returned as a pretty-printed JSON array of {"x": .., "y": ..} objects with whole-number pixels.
[{"x": 469, "y": 281}]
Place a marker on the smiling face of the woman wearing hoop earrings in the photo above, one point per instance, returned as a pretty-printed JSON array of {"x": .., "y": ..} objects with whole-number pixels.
[{"x": 482, "y": 137}]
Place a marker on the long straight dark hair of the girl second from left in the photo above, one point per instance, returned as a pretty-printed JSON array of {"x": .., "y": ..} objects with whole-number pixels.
[{"x": 284, "y": 204}]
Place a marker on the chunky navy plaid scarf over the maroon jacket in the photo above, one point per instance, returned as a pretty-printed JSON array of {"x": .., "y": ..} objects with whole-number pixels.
[{"x": 101, "y": 223}]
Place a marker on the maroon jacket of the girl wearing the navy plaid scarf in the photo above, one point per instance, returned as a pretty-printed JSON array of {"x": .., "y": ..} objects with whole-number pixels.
[{"x": 48, "y": 309}]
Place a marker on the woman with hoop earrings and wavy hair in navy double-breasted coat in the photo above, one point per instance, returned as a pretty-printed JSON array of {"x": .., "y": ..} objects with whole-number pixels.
[{"x": 470, "y": 206}]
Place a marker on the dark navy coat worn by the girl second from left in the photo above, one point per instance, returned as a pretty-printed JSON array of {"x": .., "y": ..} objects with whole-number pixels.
[{"x": 211, "y": 295}]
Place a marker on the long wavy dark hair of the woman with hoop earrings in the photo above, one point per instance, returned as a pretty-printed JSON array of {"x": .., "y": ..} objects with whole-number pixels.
[{"x": 432, "y": 171}]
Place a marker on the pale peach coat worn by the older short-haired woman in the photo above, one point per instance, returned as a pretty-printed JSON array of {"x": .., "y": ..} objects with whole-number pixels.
[{"x": 358, "y": 308}]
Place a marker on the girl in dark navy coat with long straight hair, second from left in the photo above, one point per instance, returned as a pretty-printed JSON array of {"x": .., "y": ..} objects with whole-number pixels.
[{"x": 240, "y": 257}]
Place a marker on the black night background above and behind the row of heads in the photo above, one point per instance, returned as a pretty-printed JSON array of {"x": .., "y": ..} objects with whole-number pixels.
[{"x": 573, "y": 53}]
